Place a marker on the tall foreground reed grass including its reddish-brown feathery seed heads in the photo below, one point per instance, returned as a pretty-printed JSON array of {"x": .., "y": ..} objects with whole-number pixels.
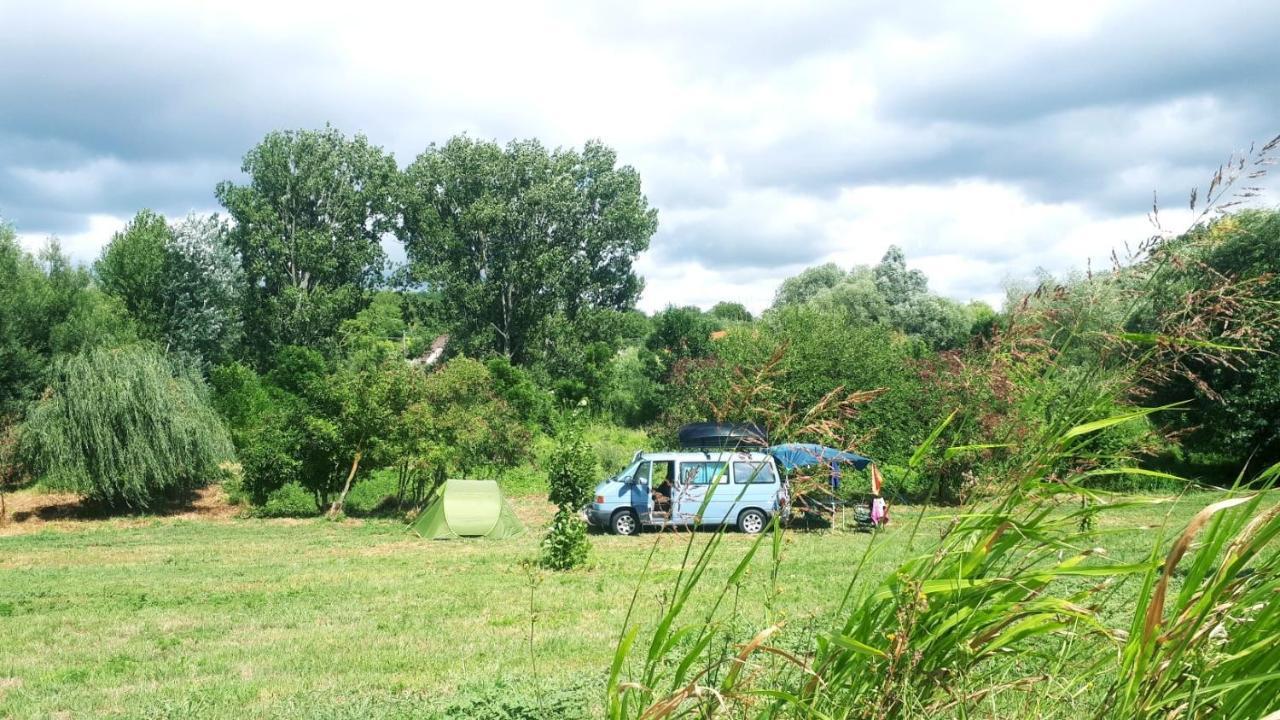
[{"x": 1013, "y": 610}]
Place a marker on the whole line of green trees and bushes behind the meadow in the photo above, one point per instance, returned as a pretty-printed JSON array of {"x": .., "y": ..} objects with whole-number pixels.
[{"x": 280, "y": 349}]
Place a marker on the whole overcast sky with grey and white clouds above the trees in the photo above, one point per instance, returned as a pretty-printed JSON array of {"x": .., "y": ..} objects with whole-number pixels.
[{"x": 988, "y": 139}]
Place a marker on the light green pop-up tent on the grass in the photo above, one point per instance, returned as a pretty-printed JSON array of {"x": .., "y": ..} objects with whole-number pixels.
[{"x": 468, "y": 509}]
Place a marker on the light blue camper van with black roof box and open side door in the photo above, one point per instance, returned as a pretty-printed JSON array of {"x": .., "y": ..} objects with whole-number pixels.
[{"x": 717, "y": 480}]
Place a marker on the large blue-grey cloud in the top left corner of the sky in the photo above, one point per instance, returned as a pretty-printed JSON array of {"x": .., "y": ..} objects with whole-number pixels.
[{"x": 159, "y": 89}]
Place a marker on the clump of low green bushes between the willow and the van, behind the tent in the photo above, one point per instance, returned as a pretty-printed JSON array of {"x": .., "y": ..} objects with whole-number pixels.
[{"x": 319, "y": 425}]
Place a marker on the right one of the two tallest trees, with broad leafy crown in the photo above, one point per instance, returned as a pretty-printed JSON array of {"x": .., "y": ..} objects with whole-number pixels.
[{"x": 520, "y": 239}]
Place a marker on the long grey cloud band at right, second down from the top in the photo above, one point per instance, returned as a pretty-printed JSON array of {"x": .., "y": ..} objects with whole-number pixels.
[{"x": 1098, "y": 157}]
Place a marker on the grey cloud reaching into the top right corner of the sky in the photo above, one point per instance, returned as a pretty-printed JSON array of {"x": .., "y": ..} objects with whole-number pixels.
[{"x": 1145, "y": 56}]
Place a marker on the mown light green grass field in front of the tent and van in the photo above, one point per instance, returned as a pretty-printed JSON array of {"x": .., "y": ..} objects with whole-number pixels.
[{"x": 217, "y": 617}]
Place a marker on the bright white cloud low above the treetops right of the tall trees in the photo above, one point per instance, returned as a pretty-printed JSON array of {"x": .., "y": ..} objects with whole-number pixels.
[{"x": 970, "y": 238}]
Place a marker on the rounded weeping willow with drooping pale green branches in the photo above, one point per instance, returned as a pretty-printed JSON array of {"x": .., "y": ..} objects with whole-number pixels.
[{"x": 124, "y": 429}]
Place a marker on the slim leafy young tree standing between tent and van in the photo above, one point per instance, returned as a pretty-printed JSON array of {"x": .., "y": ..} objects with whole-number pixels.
[{"x": 572, "y": 477}]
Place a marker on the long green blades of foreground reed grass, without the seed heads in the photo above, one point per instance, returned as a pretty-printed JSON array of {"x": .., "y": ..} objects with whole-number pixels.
[{"x": 1008, "y": 603}]
